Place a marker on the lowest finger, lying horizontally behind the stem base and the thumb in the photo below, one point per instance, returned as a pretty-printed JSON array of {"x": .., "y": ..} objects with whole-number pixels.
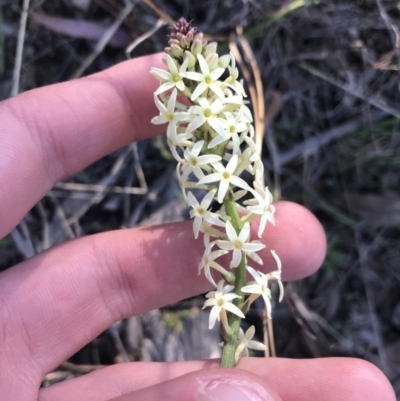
[{"x": 327, "y": 379}]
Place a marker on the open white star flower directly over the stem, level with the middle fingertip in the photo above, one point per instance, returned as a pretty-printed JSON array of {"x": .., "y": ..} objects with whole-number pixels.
[{"x": 237, "y": 243}]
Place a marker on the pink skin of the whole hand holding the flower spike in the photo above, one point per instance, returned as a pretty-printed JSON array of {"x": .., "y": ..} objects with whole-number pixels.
[{"x": 56, "y": 302}]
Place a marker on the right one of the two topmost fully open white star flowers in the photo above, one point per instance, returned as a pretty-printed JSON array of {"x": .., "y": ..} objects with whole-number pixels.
[{"x": 208, "y": 79}]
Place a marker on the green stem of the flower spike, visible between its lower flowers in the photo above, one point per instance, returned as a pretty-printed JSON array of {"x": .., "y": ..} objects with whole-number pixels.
[{"x": 228, "y": 352}]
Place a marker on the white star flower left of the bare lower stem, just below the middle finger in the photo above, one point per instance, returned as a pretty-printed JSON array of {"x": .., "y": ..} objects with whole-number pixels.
[{"x": 221, "y": 302}]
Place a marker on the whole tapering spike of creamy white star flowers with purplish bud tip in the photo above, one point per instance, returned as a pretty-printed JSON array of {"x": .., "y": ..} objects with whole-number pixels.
[{"x": 210, "y": 134}]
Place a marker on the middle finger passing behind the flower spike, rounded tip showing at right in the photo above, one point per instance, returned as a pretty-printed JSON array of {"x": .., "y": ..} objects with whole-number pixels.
[{"x": 69, "y": 294}]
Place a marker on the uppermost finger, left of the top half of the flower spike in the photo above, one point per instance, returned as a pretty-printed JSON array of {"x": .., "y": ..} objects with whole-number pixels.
[{"x": 50, "y": 133}]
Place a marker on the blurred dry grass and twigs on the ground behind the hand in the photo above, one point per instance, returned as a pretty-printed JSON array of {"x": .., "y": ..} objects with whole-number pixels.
[{"x": 327, "y": 74}]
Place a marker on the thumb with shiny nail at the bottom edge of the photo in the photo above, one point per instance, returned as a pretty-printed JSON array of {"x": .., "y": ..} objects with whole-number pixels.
[{"x": 208, "y": 385}]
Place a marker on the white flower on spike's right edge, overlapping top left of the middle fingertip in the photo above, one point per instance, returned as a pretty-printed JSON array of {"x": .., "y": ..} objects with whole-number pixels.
[{"x": 262, "y": 206}]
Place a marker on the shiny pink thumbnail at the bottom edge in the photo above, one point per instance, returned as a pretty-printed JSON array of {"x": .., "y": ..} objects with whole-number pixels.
[{"x": 232, "y": 389}]
